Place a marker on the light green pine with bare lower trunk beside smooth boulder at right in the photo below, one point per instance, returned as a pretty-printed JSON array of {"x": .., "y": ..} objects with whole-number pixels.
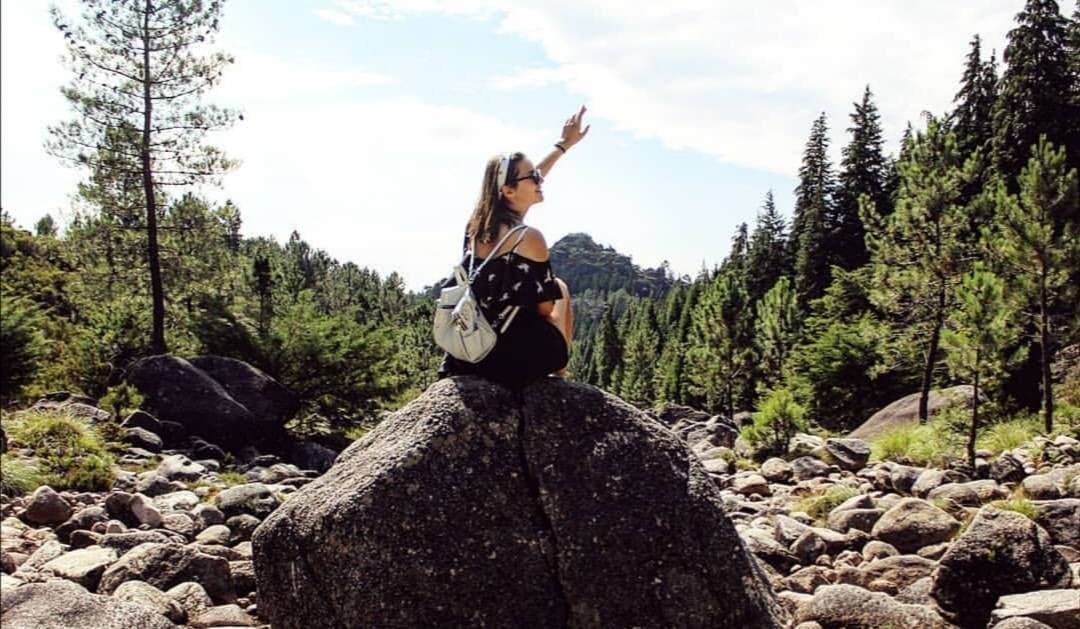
[{"x": 920, "y": 252}]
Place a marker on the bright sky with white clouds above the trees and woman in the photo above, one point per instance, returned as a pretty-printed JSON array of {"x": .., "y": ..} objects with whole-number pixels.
[{"x": 368, "y": 125}]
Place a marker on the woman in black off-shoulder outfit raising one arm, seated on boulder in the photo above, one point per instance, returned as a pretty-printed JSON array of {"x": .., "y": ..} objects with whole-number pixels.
[{"x": 537, "y": 341}]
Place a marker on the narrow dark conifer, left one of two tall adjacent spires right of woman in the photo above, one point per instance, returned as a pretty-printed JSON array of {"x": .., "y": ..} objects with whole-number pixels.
[{"x": 814, "y": 217}]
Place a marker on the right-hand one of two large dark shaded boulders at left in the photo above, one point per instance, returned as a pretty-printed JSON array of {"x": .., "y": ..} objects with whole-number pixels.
[{"x": 268, "y": 400}]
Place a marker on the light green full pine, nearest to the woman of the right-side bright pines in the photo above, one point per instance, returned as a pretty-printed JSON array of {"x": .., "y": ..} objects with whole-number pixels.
[{"x": 718, "y": 351}]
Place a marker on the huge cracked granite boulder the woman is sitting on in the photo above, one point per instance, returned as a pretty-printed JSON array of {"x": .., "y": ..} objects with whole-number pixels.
[{"x": 469, "y": 507}]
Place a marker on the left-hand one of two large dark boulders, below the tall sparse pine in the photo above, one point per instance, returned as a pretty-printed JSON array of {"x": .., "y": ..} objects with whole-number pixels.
[{"x": 175, "y": 391}]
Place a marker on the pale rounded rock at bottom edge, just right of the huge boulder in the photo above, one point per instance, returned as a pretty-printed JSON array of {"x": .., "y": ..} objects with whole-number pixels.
[{"x": 855, "y": 608}]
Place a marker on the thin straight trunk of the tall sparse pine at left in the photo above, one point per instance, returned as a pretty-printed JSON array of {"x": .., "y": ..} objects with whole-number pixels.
[{"x": 157, "y": 293}]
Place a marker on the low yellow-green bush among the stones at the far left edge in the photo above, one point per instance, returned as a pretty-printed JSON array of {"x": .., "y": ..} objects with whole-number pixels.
[{"x": 73, "y": 454}]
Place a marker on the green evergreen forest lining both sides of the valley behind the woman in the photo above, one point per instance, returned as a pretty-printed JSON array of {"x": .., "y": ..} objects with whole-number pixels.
[{"x": 956, "y": 261}]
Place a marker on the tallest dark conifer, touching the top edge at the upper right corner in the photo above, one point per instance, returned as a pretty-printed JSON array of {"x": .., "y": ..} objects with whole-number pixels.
[{"x": 1036, "y": 91}]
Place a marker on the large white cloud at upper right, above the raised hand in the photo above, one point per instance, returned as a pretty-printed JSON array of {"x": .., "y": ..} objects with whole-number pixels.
[{"x": 742, "y": 82}]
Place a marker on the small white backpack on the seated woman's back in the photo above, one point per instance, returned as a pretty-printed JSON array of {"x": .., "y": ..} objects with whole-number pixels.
[{"x": 461, "y": 327}]
